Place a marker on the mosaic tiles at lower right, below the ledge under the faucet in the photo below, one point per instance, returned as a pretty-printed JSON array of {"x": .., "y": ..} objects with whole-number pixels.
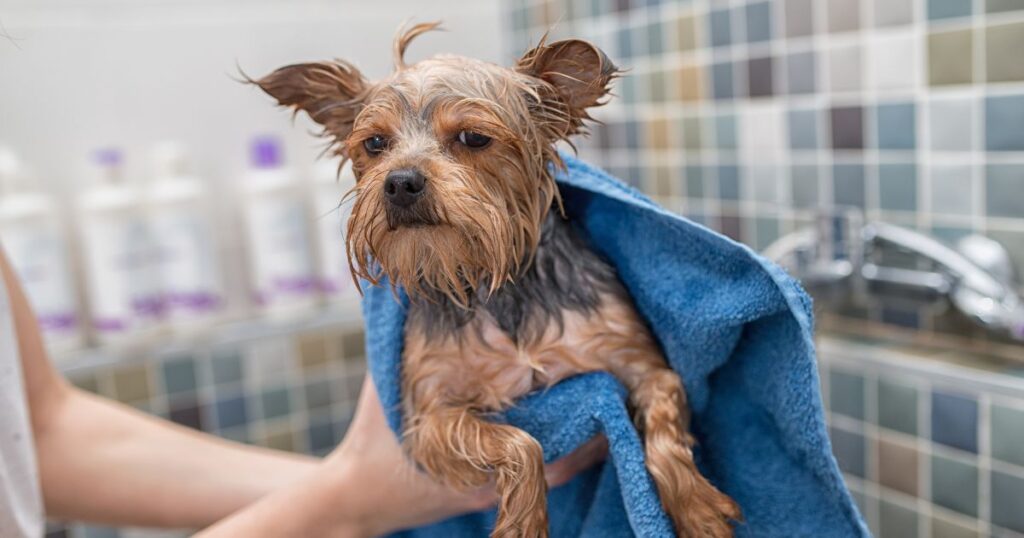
[{"x": 927, "y": 454}]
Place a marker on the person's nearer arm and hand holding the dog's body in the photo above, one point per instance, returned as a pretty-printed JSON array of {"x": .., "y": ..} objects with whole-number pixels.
[{"x": 370, "y": 488}]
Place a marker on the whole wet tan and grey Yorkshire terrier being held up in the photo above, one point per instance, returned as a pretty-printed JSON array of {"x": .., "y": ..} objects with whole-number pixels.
[{"x": 456, "y": 203}]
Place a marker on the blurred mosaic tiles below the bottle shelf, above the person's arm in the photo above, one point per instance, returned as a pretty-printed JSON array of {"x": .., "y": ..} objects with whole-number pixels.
[{"x": 290, "y": 388}]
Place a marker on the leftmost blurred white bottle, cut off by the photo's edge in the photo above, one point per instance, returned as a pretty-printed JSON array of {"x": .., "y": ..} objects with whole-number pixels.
[{"x": 34, "y": 242}]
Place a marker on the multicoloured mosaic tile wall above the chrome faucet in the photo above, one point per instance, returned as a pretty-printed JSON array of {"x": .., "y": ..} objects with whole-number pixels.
[{"x": 750, "y": 116}]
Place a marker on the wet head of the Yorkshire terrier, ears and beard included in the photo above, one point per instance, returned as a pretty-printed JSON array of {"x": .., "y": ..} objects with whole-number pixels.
[{"x": 453, "y": 156}]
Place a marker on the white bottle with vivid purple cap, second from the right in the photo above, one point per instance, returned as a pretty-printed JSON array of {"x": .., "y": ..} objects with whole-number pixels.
[{"x": 277, "y": 233}]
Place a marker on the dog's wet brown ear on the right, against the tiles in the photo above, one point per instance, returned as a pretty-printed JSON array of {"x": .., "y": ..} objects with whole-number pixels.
[{"x": 578, "y": 72}]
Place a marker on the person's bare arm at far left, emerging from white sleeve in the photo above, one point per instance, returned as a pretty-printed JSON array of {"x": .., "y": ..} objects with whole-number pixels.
[{"x": 102, "y": 462}]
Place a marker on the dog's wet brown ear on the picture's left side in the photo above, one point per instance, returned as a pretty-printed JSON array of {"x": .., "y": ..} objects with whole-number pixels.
[{"x": 331, "y": 93}]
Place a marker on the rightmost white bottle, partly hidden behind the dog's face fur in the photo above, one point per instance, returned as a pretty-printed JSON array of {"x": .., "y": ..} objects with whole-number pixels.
[{"x": 331, "y": 216}]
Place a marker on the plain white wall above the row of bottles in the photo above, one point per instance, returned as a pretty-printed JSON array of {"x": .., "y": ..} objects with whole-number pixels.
[{"x": 78, "y": 75}]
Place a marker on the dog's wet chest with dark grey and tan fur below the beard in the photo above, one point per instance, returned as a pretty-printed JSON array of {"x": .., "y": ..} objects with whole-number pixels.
[{"x": 568, "y": 314}]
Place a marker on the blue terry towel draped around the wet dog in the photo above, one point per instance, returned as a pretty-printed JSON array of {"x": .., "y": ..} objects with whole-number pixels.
[{"x": 734, "y": 325}]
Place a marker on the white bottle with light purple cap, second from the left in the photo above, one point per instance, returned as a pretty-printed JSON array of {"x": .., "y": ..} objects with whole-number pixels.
[{"x": 120, "y": 255}]
